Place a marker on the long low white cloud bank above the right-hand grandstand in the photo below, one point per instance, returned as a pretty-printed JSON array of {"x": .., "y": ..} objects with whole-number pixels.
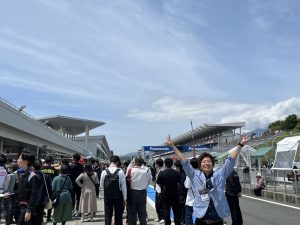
[{"x": 255, "y": 115}]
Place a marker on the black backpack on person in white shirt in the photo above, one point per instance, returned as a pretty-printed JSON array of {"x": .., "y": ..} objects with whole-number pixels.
[{"x": 111, "y": 185}]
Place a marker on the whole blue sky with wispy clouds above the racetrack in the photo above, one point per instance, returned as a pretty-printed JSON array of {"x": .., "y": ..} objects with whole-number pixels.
[{"x": 148, "y": 68}]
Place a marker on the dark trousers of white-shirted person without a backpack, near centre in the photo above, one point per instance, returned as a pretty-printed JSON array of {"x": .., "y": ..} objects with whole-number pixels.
[{"x": 137, "y": 206}]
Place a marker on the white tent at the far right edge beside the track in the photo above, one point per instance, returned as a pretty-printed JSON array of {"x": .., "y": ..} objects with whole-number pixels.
[{"x": 287, "y": 153}]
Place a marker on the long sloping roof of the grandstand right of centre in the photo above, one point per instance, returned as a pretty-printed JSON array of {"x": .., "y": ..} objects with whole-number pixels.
[{"x": 207, "y": 130}]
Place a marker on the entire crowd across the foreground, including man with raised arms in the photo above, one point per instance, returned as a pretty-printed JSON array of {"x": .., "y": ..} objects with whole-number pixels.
[{"x": 32, "y": 189}]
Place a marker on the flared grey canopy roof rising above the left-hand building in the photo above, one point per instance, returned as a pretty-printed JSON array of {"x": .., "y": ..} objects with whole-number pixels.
[{"x": 71, "y": 125}]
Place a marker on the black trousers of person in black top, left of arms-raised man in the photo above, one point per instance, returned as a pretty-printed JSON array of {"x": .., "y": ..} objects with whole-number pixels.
[{"x": 168, "y": 203}]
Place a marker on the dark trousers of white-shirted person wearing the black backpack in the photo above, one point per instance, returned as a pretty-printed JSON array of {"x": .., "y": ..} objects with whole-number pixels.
[{"x": 112, "y": 205}]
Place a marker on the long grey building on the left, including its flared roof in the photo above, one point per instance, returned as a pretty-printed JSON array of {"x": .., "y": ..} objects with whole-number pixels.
[{"x": 51, "y": 135}]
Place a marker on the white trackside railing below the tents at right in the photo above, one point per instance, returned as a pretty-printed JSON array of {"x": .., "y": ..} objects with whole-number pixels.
[{"x": 275, "y": 180}]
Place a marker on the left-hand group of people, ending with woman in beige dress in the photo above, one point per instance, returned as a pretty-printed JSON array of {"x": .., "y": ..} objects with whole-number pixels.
[{"x": 31, "y": 189}]
